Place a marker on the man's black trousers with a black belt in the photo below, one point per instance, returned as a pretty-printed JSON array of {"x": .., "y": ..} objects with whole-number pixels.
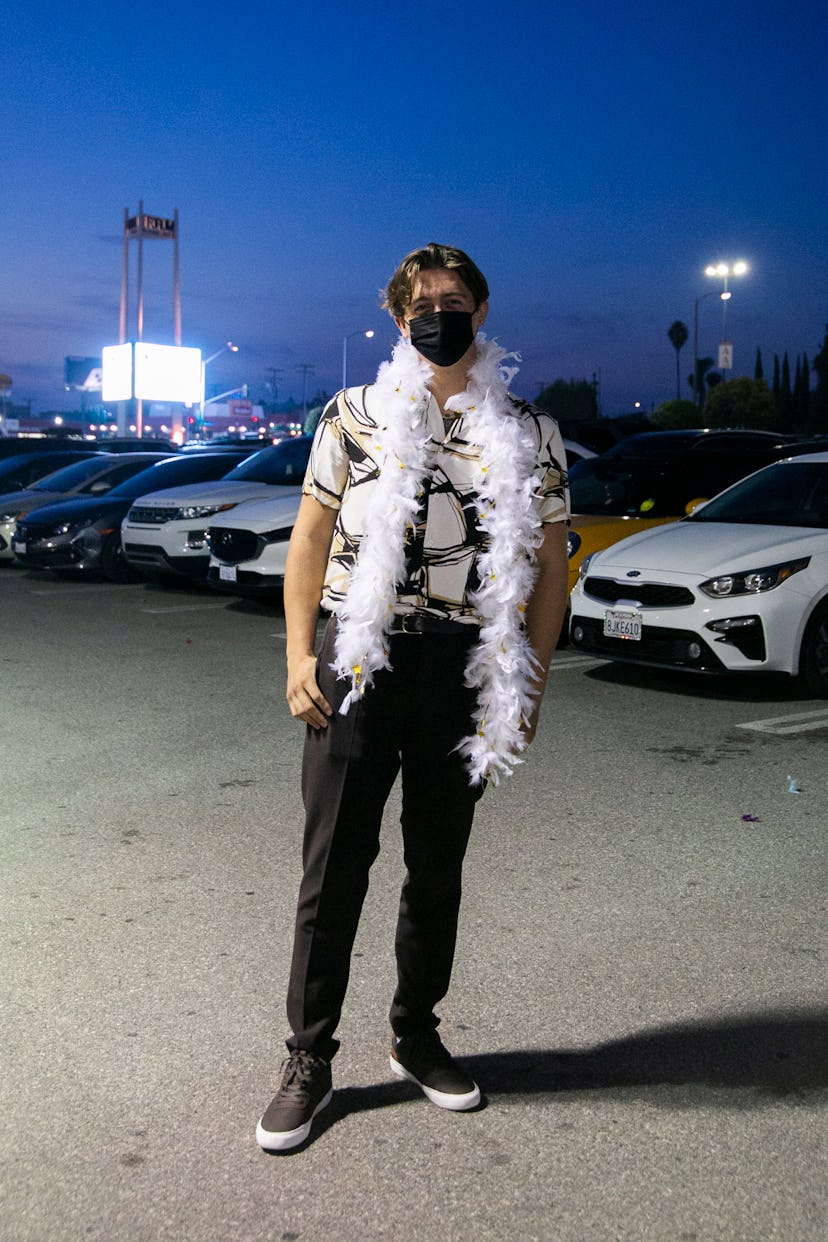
[{"x": 409, "y": 721}]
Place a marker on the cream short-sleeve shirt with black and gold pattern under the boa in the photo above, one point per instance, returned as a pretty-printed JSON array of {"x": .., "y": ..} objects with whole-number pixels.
[{"x": 443, "y": 551}]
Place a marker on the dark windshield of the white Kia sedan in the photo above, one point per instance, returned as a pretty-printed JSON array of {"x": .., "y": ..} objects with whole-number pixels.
[{"x": 785, "y": 495}]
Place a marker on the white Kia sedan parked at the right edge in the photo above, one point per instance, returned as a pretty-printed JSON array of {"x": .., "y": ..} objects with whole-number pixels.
[{"x": 740, "y": 586}]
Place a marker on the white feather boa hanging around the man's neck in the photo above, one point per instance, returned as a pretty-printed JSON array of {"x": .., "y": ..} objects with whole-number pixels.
[{"x": 501, "y": 665}]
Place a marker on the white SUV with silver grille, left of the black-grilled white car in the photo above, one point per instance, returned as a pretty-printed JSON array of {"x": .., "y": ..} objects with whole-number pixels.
[{"x": 166, "y": 533}]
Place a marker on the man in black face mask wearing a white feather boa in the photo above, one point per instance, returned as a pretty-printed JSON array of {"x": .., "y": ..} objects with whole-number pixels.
[{"x": 433, "y": 527}]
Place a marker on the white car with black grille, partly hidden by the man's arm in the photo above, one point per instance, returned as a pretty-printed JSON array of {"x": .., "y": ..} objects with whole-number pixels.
[{"x": 249, "y": 547}]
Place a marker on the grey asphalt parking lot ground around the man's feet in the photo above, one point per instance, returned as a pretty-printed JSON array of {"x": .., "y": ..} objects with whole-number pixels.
[{"x": 640, "y": 988}]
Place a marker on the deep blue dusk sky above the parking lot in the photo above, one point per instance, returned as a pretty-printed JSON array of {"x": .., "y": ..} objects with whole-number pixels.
[{"x": 592, "y": 158}]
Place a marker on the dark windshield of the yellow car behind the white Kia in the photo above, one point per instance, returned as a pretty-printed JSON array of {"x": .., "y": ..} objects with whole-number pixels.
[{"x": 636, "y": 489}]
